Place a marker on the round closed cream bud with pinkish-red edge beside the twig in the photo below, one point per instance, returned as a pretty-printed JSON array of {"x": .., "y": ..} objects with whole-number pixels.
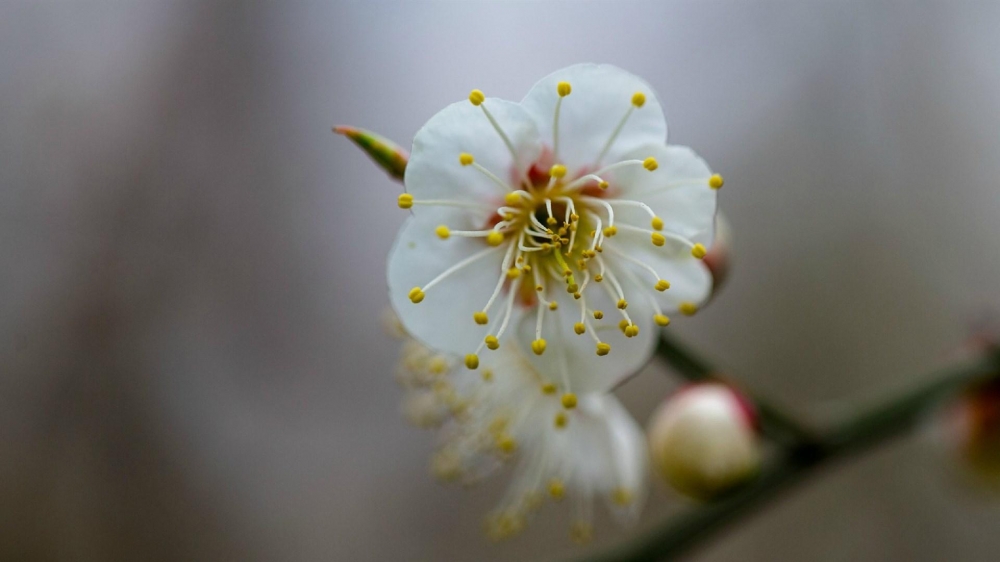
[{"x": 703, "y": 440}]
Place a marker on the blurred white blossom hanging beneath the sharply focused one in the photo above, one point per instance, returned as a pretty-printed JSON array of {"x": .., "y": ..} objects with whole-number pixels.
[{"x": 507, "y": 412}]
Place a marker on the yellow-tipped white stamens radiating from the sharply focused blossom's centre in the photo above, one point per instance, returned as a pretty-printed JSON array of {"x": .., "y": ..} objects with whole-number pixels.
[{"x": 552, "y": 231}]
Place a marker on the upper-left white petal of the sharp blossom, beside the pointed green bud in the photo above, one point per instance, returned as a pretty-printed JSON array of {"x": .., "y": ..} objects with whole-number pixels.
[{"x": 434, "y": 171}]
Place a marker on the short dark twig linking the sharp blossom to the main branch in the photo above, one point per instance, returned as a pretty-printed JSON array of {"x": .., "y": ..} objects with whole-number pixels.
[{"x": 775, "y": 423}]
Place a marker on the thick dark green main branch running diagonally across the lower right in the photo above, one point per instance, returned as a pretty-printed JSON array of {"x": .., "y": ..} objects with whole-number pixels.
[{"x": 870, "y": 427}]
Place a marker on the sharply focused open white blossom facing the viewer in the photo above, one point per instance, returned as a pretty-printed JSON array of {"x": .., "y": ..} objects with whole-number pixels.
[{"x": 551, "y": 223}]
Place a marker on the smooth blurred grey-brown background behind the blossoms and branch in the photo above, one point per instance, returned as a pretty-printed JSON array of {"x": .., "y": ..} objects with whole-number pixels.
[{"x": 192, "y": 365}]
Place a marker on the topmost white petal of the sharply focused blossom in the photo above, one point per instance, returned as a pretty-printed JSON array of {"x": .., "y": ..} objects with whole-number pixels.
[{"x": 601, "y": 95}]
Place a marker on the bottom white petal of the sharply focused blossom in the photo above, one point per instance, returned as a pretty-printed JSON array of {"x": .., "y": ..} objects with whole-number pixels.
[{"x": 576, "y": 354}]
